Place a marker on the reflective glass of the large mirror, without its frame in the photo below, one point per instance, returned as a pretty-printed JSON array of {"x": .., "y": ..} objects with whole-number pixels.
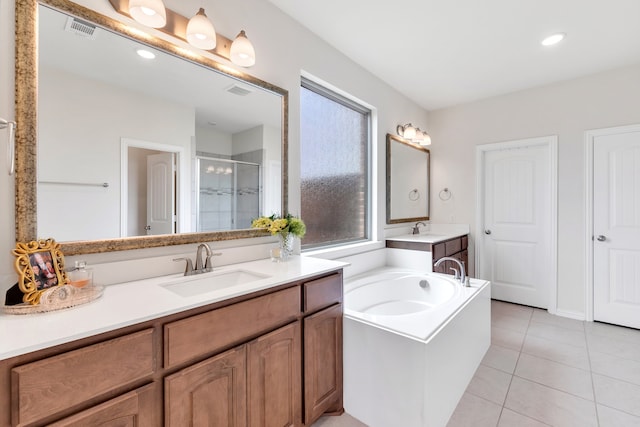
[{"x": 158, "y": 120}]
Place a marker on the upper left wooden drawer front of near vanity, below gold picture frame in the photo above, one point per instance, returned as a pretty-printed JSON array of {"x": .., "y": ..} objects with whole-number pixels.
[{"x": 45, "y": 387}]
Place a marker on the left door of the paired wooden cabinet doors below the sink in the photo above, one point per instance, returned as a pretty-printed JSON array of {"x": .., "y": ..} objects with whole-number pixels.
[{"x": 210, "y": 393}]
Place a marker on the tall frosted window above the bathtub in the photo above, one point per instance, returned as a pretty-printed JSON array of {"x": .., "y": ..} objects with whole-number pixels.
[{"x": 335, "y": 167}]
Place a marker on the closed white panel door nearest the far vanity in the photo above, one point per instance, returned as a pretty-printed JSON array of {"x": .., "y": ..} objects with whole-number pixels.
[{"x": 515, "y": 250}]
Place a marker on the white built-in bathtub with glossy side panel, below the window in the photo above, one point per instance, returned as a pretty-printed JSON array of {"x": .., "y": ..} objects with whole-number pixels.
[{"x": 412, "y": 342}]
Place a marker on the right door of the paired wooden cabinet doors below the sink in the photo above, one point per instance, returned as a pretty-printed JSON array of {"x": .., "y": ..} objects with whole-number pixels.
[{"x": 274, "y": 377}]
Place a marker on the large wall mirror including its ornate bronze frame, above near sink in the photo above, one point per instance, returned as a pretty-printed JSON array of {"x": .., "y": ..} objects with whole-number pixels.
[{"x": 124, "y": 152}]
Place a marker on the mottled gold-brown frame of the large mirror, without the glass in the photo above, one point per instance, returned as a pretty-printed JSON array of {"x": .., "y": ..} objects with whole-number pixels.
[{"x": 26, "y": 135}]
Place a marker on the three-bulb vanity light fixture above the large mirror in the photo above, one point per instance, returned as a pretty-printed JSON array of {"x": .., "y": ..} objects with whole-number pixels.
[{"x": 197, "y": 31}]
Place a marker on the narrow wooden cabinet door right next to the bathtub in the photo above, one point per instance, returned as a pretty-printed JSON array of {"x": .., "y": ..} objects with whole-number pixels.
[{"x": 323, "y": 363}]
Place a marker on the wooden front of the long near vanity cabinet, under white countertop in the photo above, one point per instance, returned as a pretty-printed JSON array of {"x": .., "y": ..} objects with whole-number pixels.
[{"x": 270, "y": 358}]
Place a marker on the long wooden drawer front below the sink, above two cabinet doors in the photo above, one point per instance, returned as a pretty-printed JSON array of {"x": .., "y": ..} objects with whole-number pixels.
[{"x": 206, "y": 333}]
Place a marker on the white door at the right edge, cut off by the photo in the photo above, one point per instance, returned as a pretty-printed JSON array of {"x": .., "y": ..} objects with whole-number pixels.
[{"x": 616, "y": 227}]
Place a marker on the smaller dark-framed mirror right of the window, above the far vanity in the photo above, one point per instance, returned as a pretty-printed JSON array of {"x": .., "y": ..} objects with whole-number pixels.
[{"x": 408, "y": 171}]
